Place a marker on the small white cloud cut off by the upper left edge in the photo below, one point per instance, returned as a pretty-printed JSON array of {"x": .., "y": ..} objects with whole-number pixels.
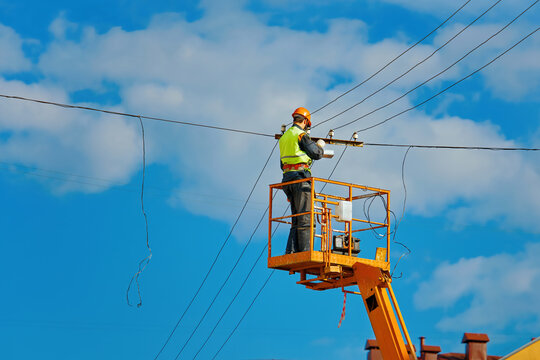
[{"x": 12, "y": 58}]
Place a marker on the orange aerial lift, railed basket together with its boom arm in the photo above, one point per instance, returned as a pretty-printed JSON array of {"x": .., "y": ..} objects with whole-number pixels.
[{"x": 337, "y": 258}]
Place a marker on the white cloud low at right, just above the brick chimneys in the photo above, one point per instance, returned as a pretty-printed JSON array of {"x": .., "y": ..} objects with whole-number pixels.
[{"x": 502, "y": 290}]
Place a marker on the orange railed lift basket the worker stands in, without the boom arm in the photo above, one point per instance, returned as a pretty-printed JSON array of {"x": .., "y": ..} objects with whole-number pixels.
[{"x": 335, "y": 246}]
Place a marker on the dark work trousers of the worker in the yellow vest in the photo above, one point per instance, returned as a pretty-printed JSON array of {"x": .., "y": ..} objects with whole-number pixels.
[{"x": 299, "y": 196}]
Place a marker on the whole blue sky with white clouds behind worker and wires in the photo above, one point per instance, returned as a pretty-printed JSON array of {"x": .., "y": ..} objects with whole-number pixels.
[{"x": 73, "y": 231}]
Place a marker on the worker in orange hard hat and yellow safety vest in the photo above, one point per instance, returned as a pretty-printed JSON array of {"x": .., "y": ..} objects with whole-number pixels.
[{"x": 297, "y": 152}]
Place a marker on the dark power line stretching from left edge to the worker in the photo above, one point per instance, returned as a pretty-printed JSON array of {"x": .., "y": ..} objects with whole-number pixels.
[{"x": 68, "y": 106}]
